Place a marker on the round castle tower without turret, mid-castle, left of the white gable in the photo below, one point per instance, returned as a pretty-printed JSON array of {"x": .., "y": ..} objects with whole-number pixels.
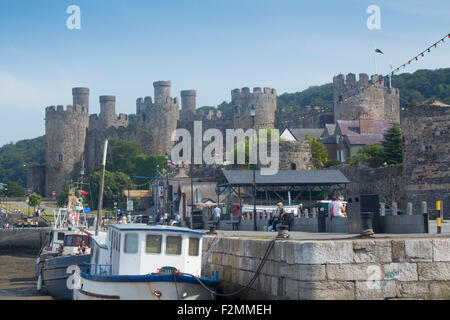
[{"x": 265, "y": 103}]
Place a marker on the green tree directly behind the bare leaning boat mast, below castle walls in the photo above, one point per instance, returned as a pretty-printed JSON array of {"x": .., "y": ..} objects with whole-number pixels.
[{"x": 115, "y": 183}]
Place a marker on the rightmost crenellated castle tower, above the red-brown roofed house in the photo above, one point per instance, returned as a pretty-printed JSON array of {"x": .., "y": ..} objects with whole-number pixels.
[{"x": 377, "y": 103}]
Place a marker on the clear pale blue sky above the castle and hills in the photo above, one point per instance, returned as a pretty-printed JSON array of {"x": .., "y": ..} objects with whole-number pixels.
[{"x": 212, "y": 46}]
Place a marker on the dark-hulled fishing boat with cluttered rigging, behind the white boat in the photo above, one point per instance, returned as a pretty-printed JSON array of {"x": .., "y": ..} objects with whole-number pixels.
[{"x": 67, "y": 232}]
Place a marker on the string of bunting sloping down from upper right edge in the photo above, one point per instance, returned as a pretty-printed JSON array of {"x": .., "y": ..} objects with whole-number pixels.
[{"x": 353, "y": 96}]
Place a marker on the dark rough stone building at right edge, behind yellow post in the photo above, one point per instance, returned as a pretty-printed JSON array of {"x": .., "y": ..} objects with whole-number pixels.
[{"x": 426, "y": 155}]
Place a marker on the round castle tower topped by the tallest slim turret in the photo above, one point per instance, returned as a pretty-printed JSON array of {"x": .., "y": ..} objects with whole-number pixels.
[{"x": 156, "y": 121}]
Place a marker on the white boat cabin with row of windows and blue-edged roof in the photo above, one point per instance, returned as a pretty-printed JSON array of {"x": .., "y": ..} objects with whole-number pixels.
[{"x": 139, "y": 249}]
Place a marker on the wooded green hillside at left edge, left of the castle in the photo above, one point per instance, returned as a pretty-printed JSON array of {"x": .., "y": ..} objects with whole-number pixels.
[{"x": 13, "y": 157}]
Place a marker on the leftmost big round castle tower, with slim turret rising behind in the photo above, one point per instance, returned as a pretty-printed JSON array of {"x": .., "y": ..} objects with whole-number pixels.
[{"x": 65, "y": 136}]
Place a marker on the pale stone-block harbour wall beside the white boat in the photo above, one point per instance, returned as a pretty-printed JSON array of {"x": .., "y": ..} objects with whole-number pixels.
[{"x": 333, "y": 269}]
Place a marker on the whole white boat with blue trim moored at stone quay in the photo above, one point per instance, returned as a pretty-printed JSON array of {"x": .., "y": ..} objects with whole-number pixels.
[{"x": 145, "y": 262}]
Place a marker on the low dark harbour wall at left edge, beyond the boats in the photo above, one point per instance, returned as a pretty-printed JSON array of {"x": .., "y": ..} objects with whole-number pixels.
[{"x": 29, "y": 240}]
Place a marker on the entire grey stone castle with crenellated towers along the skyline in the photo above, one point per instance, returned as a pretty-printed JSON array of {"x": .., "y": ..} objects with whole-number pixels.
[{"x": 74, "y": 139}]
